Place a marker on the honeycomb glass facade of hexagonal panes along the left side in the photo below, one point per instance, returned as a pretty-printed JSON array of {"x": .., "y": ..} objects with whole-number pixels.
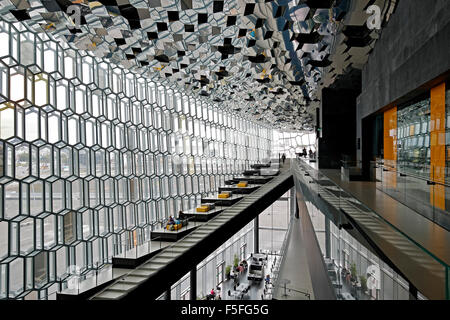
[{"x": 94, "y": 154}]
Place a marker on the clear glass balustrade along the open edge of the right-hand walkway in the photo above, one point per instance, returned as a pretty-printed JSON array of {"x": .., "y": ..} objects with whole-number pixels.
[{"x": 428, "y": 273}]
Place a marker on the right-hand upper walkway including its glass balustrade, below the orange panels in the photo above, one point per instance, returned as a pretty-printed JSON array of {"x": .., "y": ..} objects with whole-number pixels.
[{"x": 425, "y": 272}]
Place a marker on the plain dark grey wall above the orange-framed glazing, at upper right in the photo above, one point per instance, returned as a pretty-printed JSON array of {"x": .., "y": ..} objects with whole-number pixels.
[{"x": 413, "y": 50}]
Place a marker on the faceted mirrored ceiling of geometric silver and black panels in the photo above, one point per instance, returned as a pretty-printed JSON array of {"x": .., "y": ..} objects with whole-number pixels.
[{"x": 261, "y": 58}]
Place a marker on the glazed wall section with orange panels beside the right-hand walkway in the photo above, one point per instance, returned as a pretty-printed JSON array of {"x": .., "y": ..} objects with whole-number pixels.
[{"x": 420, "y": 138}]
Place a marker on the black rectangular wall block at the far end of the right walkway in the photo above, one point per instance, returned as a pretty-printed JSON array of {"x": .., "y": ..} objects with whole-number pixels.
[{"x": 338, "y": 127}]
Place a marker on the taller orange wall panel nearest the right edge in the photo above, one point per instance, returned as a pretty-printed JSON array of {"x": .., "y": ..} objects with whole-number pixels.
[{"x": 437, "y": 135}]
